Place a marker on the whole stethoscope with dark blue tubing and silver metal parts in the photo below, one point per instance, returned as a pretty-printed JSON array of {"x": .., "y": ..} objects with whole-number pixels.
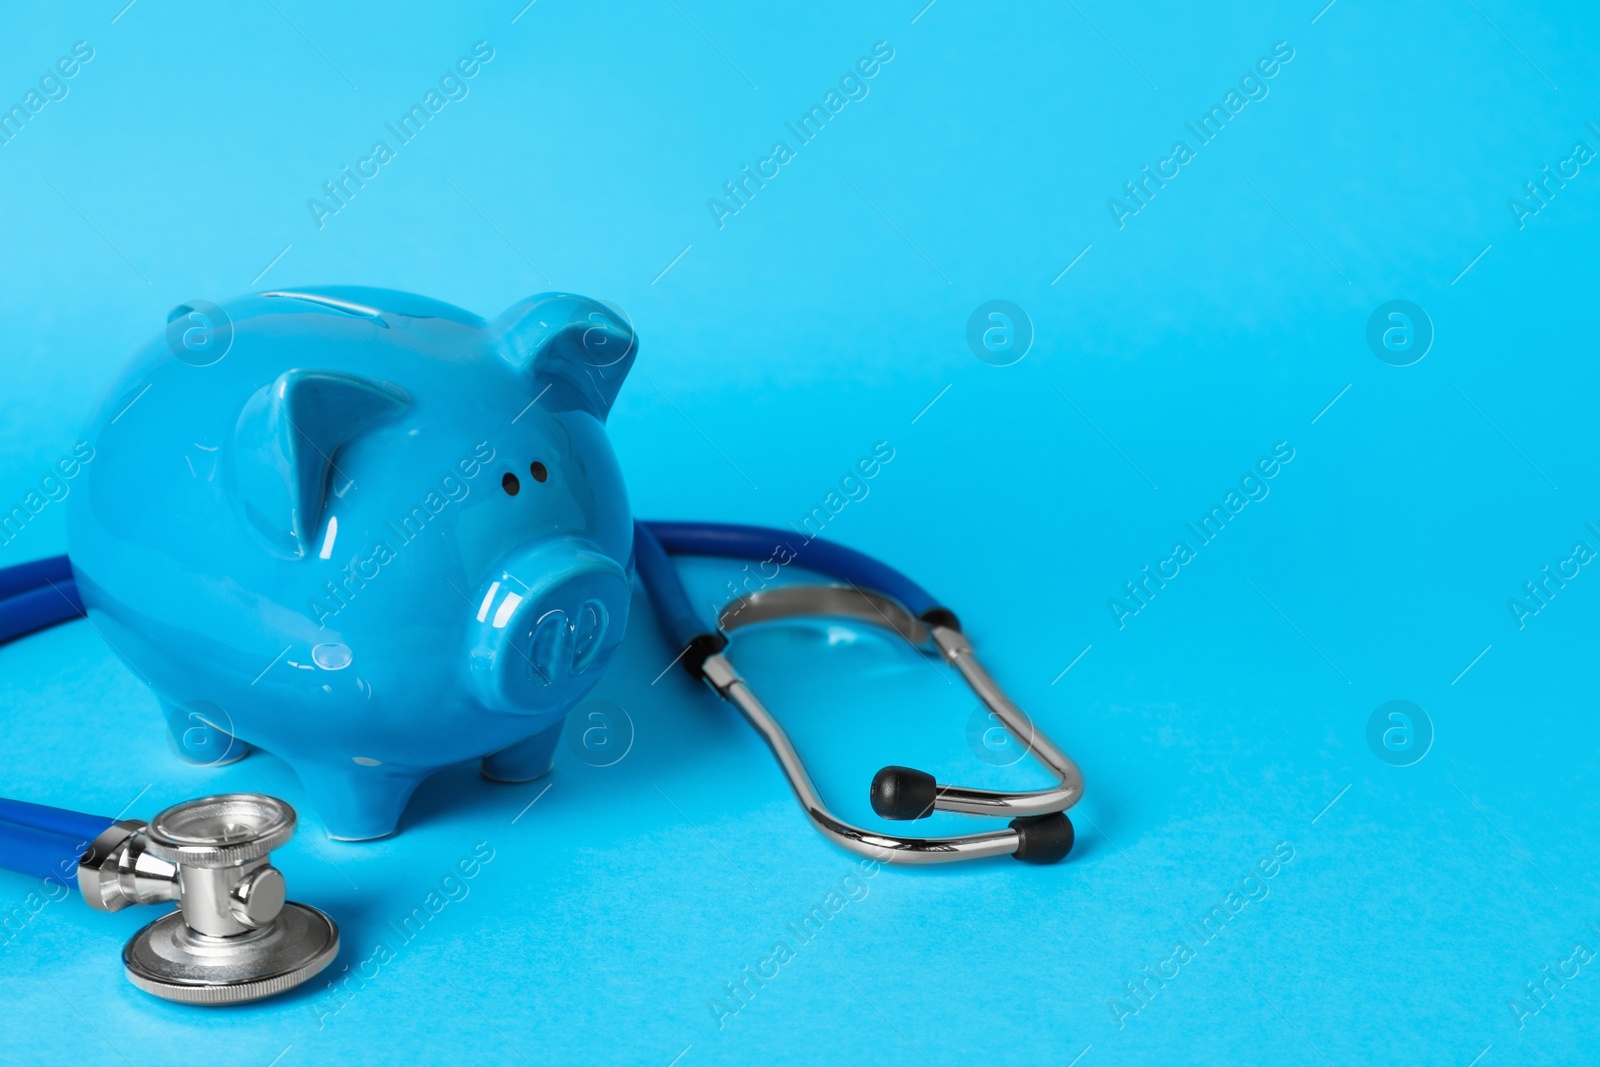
[{"x": 234, "y": 935}]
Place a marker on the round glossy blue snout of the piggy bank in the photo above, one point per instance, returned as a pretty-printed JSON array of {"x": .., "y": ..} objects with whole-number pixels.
[{"x": 546, "y": 626}]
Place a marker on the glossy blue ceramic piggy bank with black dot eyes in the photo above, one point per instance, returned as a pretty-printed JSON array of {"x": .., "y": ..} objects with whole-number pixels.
[{"x": 364, "y": 530}]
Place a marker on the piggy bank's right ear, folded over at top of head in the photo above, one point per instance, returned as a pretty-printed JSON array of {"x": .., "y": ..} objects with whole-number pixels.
[{"x": 577, "y": 348}]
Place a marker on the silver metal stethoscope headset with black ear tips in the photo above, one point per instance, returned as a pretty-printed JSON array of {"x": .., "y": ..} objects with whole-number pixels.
[{"x": 1039, "y": 833}]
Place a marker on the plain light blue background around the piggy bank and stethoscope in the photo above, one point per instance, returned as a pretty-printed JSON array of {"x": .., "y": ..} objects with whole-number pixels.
[{"x": 777, "y": 351}]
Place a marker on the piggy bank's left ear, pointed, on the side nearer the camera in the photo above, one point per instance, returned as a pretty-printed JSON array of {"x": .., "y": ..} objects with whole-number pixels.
[{"x": 287, "y": 446}]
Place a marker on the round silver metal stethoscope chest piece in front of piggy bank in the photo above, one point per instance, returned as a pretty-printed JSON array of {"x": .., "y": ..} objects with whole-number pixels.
[{"x": 234, "y": 935}]
